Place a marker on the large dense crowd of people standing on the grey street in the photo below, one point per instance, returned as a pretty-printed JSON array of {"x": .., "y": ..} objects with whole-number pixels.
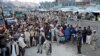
[{"x": 40, "y": 32}]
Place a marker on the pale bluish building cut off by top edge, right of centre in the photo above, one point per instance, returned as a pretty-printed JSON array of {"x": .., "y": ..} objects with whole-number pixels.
[{"x": 74, "y": 2}]
